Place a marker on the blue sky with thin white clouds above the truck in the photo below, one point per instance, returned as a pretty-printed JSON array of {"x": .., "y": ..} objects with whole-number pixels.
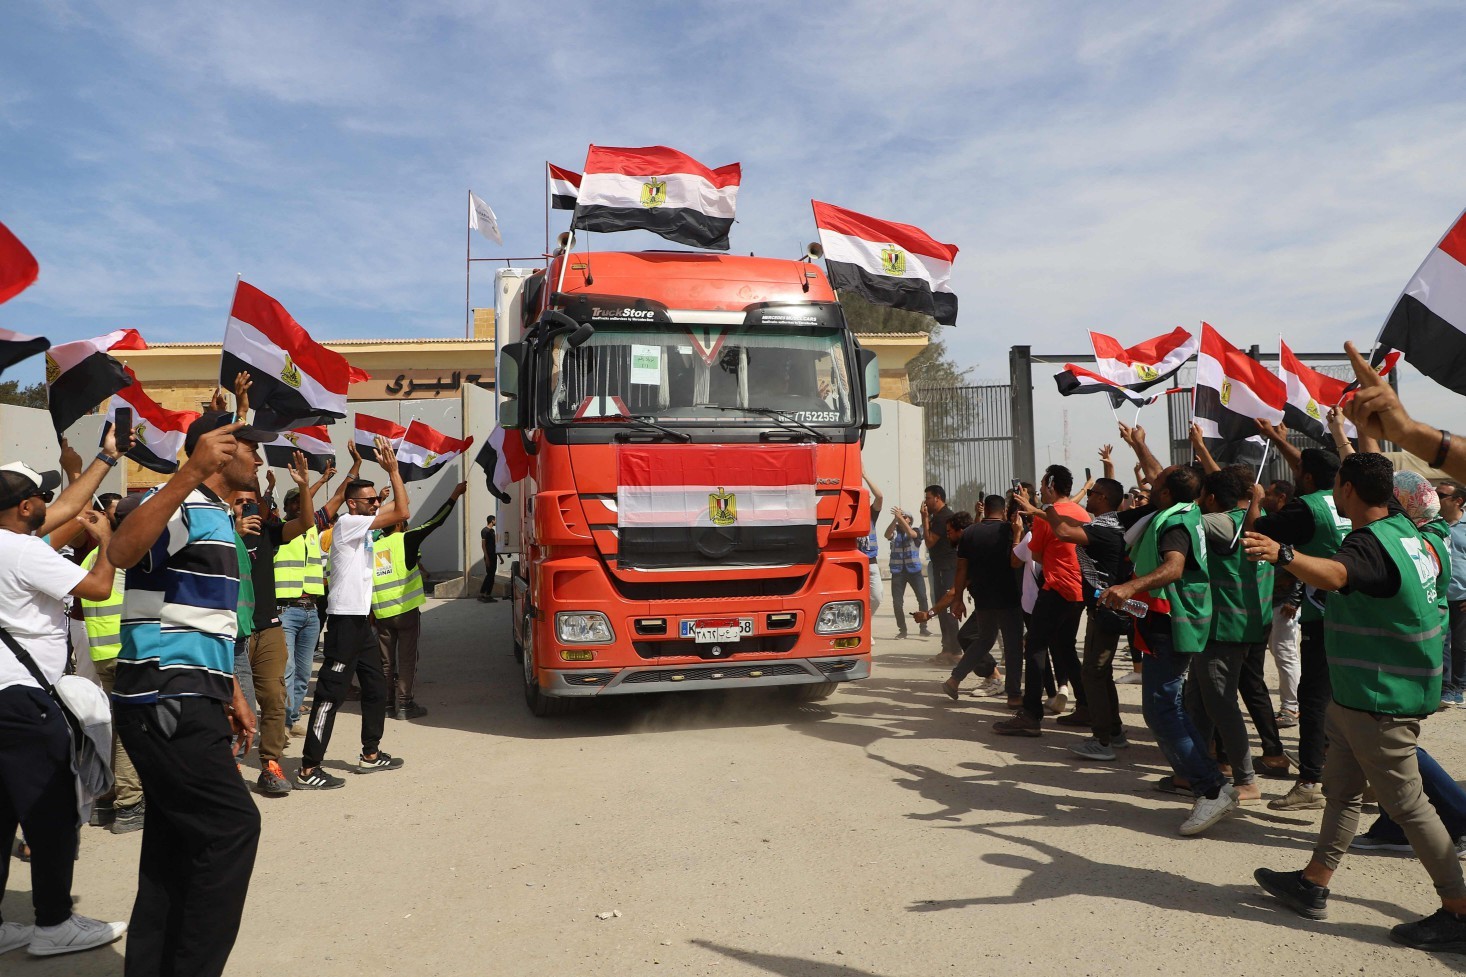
[{"x": 1122, "y": 167}]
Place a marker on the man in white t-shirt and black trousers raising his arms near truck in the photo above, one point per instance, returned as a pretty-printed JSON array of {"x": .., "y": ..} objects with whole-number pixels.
[{"x": 351, "y": 640}]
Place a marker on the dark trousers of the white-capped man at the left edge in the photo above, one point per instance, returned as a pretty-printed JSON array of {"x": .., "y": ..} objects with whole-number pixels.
[{"x": 39, "y": 793}]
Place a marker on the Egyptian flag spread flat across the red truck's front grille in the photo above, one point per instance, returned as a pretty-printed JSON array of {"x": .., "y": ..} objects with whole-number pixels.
[{"x": 716, "y": 507}]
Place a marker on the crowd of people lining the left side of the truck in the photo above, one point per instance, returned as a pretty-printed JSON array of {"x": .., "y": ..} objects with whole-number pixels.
[{"x": 203, "y": 604}]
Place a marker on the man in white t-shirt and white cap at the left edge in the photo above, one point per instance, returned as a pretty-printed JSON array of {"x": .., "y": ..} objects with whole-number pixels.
[{"x": 37, "y": 787}]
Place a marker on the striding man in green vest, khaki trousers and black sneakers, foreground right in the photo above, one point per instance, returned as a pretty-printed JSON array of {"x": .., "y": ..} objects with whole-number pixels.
[{"x": 1383, "y": 636}]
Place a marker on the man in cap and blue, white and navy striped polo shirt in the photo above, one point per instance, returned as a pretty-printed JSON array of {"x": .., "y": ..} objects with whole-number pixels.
[{"x": 178, "y": 706}]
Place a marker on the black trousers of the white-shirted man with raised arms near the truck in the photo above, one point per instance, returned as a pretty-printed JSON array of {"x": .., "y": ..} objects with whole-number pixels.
[{"x": 351, "y": 649}]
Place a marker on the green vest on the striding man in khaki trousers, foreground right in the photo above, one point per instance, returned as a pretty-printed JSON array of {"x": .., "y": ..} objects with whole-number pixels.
[{"x": 1385, "y": 654}]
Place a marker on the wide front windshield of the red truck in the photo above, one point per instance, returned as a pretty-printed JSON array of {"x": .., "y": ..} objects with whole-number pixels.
[{"x": 703, "y": 375}]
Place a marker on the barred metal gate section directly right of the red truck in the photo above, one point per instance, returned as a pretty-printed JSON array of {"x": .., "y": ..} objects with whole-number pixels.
[{"x": 970, "y": 441}]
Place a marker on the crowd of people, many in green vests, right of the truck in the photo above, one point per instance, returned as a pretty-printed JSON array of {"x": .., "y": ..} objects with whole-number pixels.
[{"x": 1351, "y": 574}]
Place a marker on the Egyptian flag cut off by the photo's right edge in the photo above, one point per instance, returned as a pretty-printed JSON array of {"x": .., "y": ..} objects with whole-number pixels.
[{"x": 1429, "y": 323}]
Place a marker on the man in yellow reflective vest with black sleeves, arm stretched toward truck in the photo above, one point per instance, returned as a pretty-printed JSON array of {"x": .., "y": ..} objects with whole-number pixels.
[{"x": 397, "y": 596}]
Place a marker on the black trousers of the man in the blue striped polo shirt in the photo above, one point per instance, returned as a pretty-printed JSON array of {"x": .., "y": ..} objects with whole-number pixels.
[{"x": 200, "y": 837}]
